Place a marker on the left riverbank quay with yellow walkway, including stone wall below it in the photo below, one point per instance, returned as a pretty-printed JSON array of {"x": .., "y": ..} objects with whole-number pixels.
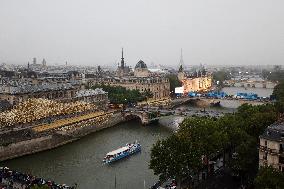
[{"x": 47, "y": 136}]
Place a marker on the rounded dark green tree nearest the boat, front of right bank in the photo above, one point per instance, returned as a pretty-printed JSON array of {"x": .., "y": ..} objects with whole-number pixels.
[{"x": 175, "y": 157}]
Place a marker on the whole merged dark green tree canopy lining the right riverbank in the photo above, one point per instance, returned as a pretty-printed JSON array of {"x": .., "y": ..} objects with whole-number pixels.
[{"x": 203, "y": 137}]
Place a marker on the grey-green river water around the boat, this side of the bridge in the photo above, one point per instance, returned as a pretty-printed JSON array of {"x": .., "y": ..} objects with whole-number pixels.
[{"x": 81, "y": 161}]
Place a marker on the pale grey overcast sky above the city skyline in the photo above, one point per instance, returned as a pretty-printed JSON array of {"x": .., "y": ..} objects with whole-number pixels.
[{"x": 92, "y": 32}]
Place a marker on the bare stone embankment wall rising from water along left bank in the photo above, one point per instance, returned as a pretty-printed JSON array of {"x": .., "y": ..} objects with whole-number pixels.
[{"x": 53, "y": 140}]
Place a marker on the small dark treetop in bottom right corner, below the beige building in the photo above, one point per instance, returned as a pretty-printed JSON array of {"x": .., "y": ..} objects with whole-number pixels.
[{"x": 269, "y": 178}]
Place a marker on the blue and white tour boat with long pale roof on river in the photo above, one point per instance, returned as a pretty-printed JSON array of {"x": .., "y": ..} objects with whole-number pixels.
[{"x": 122, "y": 152}]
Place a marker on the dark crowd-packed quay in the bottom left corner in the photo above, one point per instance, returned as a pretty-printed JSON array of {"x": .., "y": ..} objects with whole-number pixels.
[{"x": 10, "y": 179}]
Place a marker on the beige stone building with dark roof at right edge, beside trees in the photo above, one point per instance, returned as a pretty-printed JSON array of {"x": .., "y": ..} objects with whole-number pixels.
[{"x": 271, "y": 147}]
